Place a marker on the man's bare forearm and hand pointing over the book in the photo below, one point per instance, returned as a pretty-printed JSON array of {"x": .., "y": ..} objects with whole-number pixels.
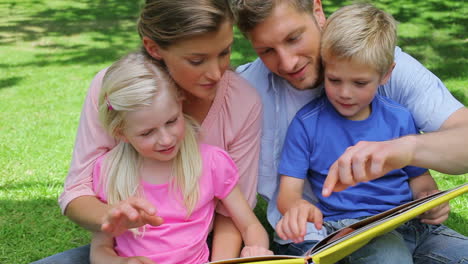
[{"x": 443, "y": 150}]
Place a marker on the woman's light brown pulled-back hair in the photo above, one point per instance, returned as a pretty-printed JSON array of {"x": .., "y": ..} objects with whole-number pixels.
[{"x": 168, "y": 21}]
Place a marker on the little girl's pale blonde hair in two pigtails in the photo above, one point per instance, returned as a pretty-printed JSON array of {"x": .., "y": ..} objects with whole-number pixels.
[{"x": 129, "y": 85}]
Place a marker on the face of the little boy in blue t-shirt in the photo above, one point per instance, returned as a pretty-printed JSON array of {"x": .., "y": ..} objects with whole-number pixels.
[{"x": 351, "y": 87}]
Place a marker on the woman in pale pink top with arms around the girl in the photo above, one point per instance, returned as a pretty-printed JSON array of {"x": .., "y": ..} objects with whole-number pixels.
[{"x": 193, "y": 39}]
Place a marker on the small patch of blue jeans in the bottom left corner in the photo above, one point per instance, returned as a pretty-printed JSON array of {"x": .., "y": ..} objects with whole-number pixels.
[{"x": 79, "y": 255}]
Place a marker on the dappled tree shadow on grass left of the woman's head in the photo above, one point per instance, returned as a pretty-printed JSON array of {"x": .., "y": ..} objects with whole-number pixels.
[{"x": 110, "y": 23}]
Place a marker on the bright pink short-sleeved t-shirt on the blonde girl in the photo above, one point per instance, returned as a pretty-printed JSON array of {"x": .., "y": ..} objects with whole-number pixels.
[{"x": 178, "y": 240}]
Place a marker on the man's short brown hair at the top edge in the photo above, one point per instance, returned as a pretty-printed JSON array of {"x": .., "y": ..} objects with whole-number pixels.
[{"x": 249, "y": 13}]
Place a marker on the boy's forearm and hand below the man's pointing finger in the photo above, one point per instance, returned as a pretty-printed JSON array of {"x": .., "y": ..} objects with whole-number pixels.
[{"x": 295, "y": 210}]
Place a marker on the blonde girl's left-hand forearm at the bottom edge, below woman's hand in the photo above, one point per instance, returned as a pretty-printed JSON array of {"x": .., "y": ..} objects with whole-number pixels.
[{"x": 102, "y": 252}]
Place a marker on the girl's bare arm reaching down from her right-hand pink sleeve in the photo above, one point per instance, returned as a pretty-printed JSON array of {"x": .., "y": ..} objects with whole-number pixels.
[{"x": 253, "y": 233}]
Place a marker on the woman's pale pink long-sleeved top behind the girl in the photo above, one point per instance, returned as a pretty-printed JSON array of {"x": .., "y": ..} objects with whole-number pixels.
[{"x": 233, "y": 124}]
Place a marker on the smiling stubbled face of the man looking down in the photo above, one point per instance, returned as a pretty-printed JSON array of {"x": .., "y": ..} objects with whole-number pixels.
[{"x": 288, "y": 43}]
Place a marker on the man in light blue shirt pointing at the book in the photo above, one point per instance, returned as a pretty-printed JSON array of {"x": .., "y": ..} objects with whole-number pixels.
[{"x": 286, "y": 36}]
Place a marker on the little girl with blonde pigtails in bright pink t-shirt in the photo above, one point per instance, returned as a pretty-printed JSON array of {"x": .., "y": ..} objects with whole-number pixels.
[{"x": 158, "y": 158}]
